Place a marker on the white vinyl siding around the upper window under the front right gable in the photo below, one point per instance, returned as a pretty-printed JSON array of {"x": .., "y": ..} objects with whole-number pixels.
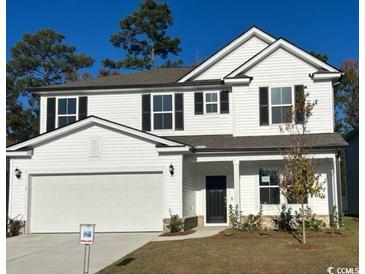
[{"x": 281, "y": 69}]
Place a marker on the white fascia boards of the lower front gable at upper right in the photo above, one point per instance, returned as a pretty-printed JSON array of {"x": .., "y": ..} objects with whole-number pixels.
[{"x": 287, "y": 46}]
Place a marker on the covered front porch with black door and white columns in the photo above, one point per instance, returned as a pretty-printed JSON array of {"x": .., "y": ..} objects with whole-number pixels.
[{"x": 216, "y": 181}]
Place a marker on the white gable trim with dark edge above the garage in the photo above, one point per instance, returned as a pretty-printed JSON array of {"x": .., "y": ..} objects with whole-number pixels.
[{"x": 92, "y": 120}]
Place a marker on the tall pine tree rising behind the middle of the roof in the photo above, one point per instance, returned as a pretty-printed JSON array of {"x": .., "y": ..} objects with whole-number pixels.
[{"x": 144, "y": 38}]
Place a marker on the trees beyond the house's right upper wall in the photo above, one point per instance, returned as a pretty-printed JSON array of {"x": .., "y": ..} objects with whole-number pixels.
[{"x": 347, "y": 97}]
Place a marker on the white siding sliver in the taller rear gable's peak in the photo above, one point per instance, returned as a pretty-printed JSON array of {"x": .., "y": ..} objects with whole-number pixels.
[{"x": 233, "y": 59}]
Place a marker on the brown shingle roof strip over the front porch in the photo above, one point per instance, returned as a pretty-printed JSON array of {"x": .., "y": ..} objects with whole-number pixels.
[{"x": 228, "y": 142}]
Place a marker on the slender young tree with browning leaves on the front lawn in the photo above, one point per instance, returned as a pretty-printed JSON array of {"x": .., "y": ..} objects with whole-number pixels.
[{"x": 299, "y": 179}]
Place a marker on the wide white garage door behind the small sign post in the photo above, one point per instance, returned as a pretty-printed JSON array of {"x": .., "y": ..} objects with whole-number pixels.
[{"x": 114, "y": 202}]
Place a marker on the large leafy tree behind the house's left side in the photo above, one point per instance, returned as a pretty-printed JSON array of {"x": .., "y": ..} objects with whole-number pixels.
[{"x": 38, "y": 59}]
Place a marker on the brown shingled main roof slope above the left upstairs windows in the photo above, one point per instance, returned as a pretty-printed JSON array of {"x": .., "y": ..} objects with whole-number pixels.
[{"x": 157, "y": 76}]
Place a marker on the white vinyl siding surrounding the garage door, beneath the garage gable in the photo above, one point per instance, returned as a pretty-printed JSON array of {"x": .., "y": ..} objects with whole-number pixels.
[{"x": 120, "y": 153}]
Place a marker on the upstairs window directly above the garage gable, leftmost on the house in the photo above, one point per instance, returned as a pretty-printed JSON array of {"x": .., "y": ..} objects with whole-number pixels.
[{"x": 66, "y": 111}]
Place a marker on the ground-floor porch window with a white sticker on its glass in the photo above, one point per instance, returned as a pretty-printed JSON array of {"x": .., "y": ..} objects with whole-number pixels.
[{"x": 269, "y": 186}]
